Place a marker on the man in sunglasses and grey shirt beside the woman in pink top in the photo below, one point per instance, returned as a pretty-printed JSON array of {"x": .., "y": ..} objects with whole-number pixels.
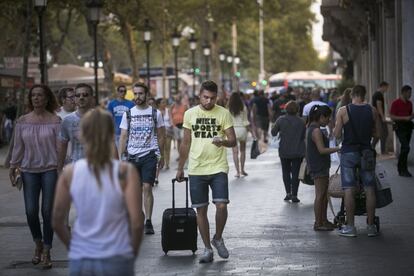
[{"x": 69, "y": 131}]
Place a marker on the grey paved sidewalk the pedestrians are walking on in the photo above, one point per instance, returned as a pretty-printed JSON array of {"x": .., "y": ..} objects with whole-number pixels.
[{"x": 265, "y": 235}]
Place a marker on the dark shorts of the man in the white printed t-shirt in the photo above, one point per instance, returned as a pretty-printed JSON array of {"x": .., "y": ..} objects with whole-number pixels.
[{"x": 146, "y": 166}]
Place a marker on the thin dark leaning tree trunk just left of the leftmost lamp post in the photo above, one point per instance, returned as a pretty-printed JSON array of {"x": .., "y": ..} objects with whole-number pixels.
[{"x": 26, "y": 53}]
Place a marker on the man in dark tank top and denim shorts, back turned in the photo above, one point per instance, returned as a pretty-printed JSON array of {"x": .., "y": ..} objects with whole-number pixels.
[{"x": 357, "y": 123}]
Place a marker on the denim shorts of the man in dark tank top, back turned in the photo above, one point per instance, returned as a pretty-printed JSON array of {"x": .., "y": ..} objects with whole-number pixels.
[{"x": 350, "y": 161}]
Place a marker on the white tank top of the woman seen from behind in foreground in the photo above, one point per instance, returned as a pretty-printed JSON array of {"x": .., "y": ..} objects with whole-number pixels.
[{"x": 101, "y": 227}]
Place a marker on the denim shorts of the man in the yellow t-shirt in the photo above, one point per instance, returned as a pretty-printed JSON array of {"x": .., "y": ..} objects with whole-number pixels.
[{"x": 199, "y": 189}]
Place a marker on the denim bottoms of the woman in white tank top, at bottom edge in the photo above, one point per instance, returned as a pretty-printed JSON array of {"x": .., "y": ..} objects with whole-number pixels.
[{"x": 117, "y": 265}]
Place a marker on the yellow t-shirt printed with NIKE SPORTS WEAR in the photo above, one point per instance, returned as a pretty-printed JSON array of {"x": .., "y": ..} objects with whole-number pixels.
[{"x": 205, "y": 158}]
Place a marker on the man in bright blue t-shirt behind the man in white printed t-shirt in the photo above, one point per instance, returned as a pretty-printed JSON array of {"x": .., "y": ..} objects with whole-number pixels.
[{"x": 117, "y": 107}]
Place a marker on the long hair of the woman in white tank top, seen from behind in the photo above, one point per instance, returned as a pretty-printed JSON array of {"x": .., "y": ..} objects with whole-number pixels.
[{"x": 97, "y": 136}]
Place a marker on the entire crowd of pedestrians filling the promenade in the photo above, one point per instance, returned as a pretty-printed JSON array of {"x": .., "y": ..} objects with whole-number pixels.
[{"x": 82, "y": 145}]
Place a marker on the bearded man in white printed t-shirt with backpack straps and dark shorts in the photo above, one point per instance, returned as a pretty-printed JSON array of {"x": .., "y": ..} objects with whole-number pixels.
[{"x": 142, "y": 136}]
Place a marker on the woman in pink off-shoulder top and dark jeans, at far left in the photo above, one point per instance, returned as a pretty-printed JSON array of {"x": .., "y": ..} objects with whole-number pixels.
[{"x": 34, "y": 154}]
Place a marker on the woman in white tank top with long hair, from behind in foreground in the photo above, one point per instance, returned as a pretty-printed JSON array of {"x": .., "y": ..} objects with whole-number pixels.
[{"x": 108, "y": 228}]
